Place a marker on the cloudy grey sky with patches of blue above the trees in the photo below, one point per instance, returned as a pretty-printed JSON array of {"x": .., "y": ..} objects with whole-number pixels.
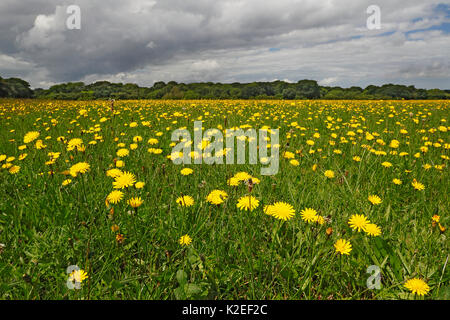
[{"x": 144, "y": 41}]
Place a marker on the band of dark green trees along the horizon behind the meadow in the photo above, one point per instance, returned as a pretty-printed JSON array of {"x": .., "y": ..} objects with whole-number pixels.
[{"x": 303, "y": 89}]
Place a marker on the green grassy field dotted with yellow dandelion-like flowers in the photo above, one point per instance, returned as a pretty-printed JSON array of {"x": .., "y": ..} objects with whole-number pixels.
[{"x": 93, "y": 186}]
